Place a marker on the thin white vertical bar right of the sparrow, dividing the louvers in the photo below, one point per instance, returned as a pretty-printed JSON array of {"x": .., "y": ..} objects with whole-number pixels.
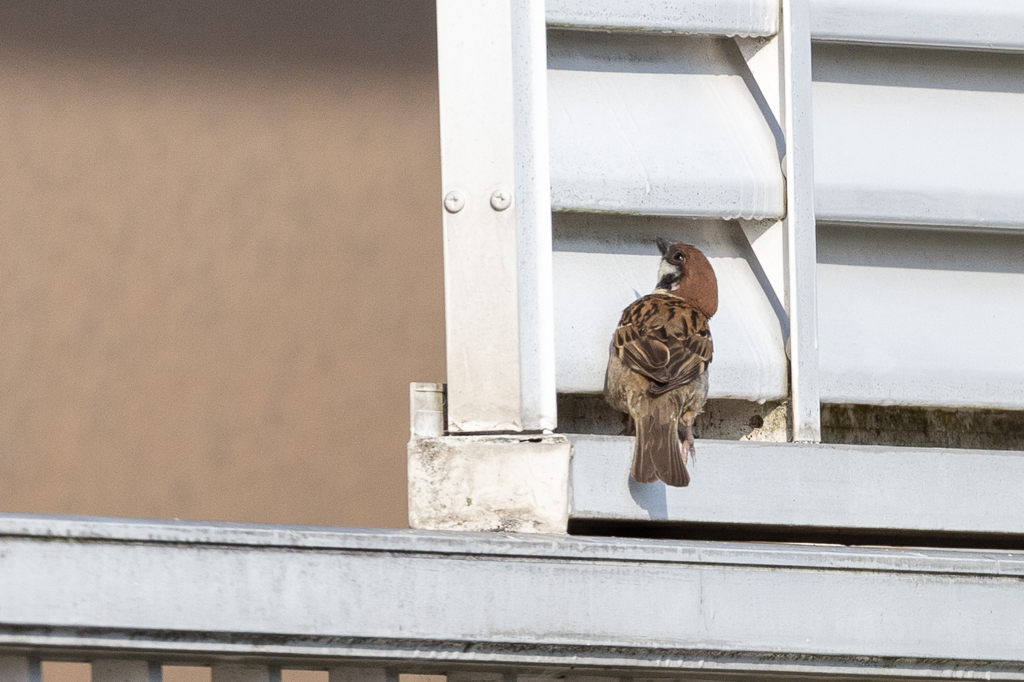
[{"x": 801, "y": 242}]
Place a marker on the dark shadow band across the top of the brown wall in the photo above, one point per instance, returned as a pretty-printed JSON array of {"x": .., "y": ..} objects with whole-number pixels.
[{"x": 326, "y": 35}]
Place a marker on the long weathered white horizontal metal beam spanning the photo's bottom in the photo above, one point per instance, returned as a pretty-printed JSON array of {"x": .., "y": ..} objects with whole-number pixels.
[{"x": 506, "y": 604}]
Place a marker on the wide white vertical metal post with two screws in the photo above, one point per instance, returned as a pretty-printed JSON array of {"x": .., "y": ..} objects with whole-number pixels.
[{"x": 492, "y": 66}]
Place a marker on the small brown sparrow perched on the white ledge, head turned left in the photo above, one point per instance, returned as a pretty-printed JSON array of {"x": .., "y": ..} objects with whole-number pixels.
[{"x": 658, "y": 369}]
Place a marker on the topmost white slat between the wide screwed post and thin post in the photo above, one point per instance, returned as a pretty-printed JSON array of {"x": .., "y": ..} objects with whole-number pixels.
[{"x": 726, "y": 18}]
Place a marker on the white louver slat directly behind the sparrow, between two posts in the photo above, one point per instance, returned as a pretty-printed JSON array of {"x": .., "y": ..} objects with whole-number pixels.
[{"x": 604, "y": 264}]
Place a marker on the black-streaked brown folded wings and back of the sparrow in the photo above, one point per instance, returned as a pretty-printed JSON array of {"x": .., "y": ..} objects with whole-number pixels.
[{"x": 666, "y": 340}]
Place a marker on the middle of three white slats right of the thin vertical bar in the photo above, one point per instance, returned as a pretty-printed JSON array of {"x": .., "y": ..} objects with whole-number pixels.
[{"x": 925, "y": 138}]
